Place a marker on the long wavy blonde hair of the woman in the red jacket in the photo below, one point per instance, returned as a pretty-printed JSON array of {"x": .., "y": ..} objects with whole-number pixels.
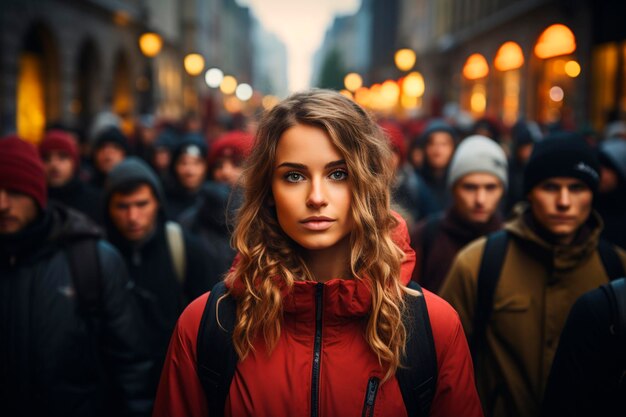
[{"x": 269, "y": 263}]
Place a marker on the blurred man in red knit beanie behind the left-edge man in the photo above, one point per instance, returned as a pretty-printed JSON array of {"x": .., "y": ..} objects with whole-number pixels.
[{"x": 61, "y": 160}]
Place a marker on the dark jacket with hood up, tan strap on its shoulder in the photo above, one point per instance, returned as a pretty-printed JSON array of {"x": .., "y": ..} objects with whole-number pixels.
[{"x": 160, "y": 294}]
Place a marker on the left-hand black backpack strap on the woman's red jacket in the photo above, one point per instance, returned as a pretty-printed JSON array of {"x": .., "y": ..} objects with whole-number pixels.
[{"x": 216, "y": 356}]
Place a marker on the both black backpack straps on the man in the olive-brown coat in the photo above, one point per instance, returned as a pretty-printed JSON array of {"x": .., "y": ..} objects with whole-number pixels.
[{"x": 489, "y": 274}]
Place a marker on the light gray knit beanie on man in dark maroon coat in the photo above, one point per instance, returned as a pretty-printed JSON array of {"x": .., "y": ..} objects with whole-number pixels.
[{"x": 478, "y": 154}]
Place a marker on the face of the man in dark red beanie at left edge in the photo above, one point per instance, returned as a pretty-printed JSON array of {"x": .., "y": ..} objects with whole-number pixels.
[{"x": 17, "y": 211}]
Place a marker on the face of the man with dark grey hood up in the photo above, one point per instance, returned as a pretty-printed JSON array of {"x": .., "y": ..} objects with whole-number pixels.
[{"x": 134, "y": 215}]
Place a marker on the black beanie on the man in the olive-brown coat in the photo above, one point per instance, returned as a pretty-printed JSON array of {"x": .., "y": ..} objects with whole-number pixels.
[{"x": 562, "y": 155}]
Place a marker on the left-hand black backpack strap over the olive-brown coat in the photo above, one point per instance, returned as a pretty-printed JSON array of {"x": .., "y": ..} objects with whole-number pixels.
[{"x": 488, "y": 276}]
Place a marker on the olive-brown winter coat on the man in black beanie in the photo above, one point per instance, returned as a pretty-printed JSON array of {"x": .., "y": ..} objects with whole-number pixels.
[{"x": 538, "y": 284}]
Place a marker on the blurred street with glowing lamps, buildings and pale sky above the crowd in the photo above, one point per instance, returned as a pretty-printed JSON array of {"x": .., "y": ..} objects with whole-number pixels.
[{"x": 552, "y": 61}]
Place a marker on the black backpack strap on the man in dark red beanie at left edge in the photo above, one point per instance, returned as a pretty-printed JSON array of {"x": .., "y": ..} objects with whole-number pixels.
[{"x": 86, "y": 275}]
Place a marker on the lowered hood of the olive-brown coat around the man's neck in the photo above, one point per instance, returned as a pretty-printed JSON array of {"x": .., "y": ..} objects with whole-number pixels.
[{"x": 563, "y": 257}]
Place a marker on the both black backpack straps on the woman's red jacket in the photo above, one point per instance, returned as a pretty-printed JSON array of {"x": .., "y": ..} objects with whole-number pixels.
[{"x": 216, "y": 357}]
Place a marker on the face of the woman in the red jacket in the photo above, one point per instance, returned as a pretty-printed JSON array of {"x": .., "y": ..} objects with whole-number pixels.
[{"x": 311, "y": 190}]
